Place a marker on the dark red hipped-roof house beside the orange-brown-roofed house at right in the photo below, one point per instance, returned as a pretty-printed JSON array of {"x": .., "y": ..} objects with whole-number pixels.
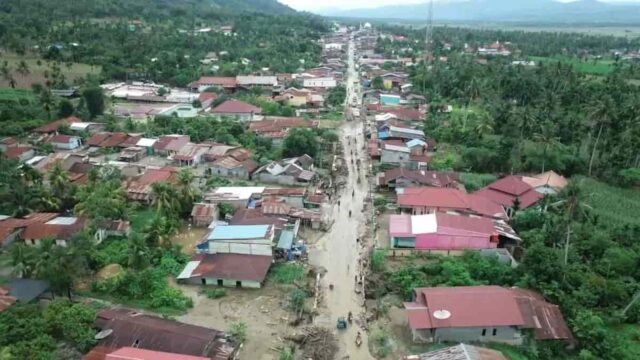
[{"x": 511, "y": 190}]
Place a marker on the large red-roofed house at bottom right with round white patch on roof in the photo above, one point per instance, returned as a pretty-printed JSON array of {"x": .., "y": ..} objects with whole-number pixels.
[{"x": 483, "y": 314}]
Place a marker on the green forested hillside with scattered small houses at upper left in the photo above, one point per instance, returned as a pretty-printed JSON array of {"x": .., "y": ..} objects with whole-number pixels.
[{"x": 158, "y": 39}]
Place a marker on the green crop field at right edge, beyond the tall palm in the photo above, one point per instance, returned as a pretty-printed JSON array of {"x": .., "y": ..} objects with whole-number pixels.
[{"x": 612, "y": 204}]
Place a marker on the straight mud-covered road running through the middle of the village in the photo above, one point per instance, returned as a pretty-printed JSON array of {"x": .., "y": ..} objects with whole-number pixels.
[{"x": 337, "y": 251}]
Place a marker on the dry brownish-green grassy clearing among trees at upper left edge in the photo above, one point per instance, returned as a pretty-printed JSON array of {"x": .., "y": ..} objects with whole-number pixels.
[{"x": 76, "y": 71}]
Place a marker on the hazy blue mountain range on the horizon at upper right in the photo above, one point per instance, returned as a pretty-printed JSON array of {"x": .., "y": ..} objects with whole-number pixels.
[{"x": 591, "y": 11}]
